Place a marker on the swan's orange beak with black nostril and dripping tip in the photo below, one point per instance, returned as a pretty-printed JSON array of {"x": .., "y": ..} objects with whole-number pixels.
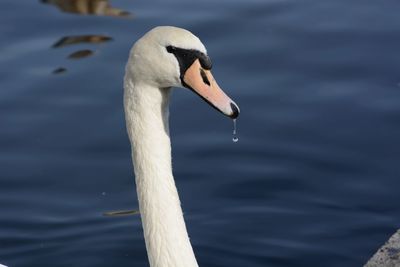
[{"x": 203, "y": 83}]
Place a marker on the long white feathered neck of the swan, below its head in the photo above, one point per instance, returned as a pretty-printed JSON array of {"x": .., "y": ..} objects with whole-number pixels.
[{"x": 167, "y": 241}]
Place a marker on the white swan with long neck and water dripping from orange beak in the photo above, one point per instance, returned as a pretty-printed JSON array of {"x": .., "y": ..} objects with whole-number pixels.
[{"x": 163, "y": 58}]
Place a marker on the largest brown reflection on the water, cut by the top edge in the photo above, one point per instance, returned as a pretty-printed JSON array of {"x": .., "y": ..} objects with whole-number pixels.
[{"x": 88, "y": 7}]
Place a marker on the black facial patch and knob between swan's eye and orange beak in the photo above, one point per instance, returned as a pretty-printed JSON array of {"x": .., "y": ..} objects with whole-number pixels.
[{"x": 186, "y": 57}]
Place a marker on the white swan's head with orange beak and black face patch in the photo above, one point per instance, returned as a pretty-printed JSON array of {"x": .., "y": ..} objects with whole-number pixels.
[{"x": 173, "y": 57}]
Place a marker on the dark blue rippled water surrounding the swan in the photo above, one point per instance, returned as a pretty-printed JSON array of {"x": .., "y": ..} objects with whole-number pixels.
[{"x": 313, "y": 181}]
